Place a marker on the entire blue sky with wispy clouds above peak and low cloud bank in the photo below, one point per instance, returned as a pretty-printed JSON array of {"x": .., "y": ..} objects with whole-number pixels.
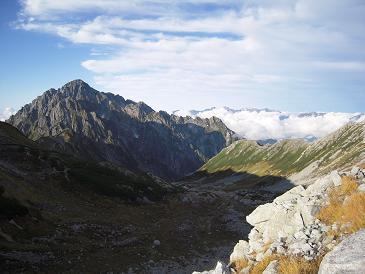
[{"x": 297, "y": 55}]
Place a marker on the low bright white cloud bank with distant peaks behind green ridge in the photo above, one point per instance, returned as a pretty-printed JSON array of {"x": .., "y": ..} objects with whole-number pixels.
[{"x": 266, "y": 124}]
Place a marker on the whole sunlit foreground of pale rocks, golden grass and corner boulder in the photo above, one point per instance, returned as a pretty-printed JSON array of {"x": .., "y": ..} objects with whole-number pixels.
[{"x": 306, "y": 230}]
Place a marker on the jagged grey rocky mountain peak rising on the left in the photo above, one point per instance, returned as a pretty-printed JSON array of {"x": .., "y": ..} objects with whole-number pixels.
[{"x": 105, "y": 127}]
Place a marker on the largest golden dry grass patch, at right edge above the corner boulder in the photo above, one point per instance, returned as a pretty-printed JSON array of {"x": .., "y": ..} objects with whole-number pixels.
[{"x": 346, "y": 207}]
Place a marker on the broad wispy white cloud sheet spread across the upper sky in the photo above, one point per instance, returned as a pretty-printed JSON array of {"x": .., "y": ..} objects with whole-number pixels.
[{"x": 156, "y": 50}]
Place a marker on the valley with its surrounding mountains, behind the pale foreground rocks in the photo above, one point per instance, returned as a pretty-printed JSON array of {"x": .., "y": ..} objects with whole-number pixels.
[{"x": 93, "y": 183}]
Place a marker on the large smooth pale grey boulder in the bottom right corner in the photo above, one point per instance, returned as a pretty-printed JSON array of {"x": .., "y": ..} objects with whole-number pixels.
[{"x": 346, "y": 257}]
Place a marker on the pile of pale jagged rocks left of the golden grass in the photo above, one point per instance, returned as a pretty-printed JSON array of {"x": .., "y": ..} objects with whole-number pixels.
[{"x": 289, "y": 226}]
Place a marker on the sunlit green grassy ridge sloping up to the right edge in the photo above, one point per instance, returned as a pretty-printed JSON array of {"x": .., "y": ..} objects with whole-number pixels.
[{"x": 342, "y": 148}]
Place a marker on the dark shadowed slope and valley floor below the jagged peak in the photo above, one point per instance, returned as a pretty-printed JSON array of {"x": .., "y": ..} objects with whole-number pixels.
[{"x": 62, "y": 214}]
